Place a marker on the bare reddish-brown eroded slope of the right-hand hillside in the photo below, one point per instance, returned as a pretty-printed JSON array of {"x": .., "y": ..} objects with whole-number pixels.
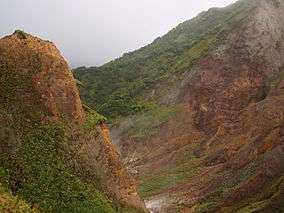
[{"x": 227, "y": 139}]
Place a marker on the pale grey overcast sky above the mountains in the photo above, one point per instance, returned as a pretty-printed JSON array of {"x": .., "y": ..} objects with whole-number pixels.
[{"x": 93, "y": 32}]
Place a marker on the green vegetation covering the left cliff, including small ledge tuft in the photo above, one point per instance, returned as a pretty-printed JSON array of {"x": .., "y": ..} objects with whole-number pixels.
[{"x": 34, "y": 155}]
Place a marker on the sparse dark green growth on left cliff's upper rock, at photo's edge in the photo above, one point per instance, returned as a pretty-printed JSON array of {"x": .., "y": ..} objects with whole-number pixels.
[{"x": 15, "y": 93}]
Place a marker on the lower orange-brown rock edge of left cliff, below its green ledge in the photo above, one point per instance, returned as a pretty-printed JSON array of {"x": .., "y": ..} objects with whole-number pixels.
[{"x": 98, "y": 161}]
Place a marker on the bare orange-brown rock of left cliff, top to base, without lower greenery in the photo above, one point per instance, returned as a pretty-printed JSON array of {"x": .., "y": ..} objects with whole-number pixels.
[{"x": 37, "y": 88}]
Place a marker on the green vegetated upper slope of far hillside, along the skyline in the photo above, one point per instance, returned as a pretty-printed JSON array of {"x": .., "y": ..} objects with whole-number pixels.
[{"x": 125, "y": 86}]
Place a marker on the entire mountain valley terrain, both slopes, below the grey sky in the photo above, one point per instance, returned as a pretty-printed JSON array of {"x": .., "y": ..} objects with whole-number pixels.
[{"x": 191, "y": 123}]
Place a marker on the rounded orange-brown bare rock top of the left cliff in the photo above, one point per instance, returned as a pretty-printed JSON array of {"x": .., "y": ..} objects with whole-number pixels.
[{"x": 51, "y": 86}]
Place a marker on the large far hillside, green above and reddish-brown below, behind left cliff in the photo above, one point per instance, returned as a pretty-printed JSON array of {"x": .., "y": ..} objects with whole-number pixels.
[{"x": 198, "y": 115}]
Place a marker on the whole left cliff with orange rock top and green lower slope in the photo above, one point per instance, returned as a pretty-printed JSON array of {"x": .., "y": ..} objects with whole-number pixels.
[{"x": 53, "y": 154}]
